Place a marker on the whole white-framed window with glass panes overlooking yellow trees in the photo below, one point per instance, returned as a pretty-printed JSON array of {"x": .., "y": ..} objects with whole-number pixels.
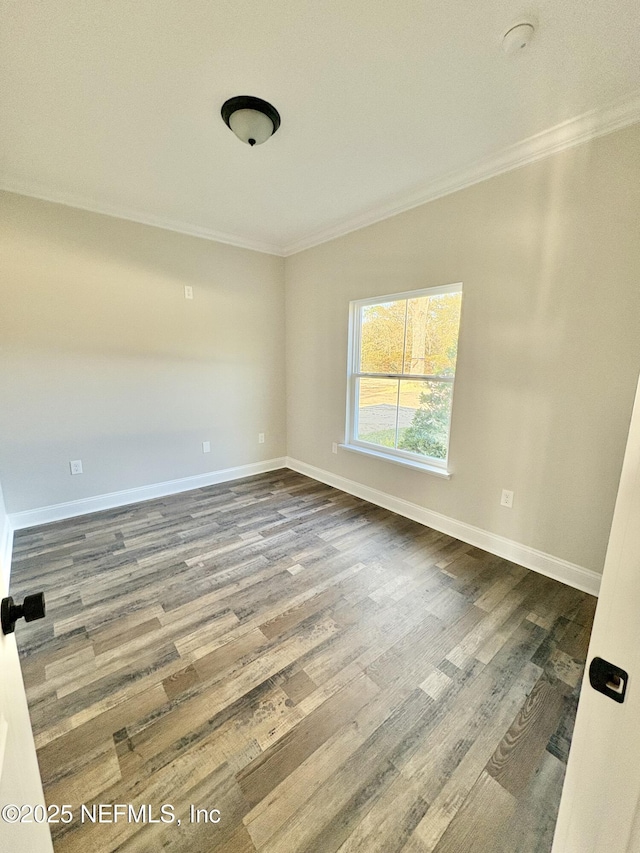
[{"x": 402, "y": 367}]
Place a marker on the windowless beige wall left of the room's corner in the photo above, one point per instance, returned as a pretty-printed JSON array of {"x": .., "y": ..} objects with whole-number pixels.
[{"x": 102, "y": 358}]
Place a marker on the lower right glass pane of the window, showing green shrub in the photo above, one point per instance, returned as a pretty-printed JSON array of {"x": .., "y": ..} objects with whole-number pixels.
[{"x": 423, "y": 417}]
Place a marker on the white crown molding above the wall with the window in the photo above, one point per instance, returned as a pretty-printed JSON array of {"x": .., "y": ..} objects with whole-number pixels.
[{"x": 567, "y": 134}]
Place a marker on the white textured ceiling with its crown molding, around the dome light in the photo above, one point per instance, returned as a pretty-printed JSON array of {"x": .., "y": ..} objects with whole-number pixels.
[{"x": 114, "y": 105}]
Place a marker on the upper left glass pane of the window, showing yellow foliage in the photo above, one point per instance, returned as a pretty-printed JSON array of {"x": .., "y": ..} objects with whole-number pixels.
[{"x": 382, "y": 337}]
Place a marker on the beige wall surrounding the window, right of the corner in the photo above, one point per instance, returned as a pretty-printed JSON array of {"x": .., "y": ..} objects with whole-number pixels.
[{"x": 549, "y": 344}]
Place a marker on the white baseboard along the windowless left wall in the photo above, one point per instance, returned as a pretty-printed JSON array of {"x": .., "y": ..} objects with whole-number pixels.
[{"x": 70, "y": 509}]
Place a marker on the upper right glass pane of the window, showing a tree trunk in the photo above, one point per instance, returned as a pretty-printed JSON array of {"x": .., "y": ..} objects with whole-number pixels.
[{"x": 432, "y": 334}]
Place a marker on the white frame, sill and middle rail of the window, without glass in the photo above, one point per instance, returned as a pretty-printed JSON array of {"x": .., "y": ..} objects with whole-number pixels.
[{"x": 440, "y": 467}]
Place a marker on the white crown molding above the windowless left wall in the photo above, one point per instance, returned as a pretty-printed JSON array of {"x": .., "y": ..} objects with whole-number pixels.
[{"x": 39, "y": 191}]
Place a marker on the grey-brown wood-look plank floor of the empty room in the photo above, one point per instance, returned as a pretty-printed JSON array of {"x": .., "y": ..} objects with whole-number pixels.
[{"x": 327, "y": 675}]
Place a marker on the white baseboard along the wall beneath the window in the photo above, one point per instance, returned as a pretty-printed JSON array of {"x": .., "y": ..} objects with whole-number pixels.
[{"x": 576, "y": 576}]
